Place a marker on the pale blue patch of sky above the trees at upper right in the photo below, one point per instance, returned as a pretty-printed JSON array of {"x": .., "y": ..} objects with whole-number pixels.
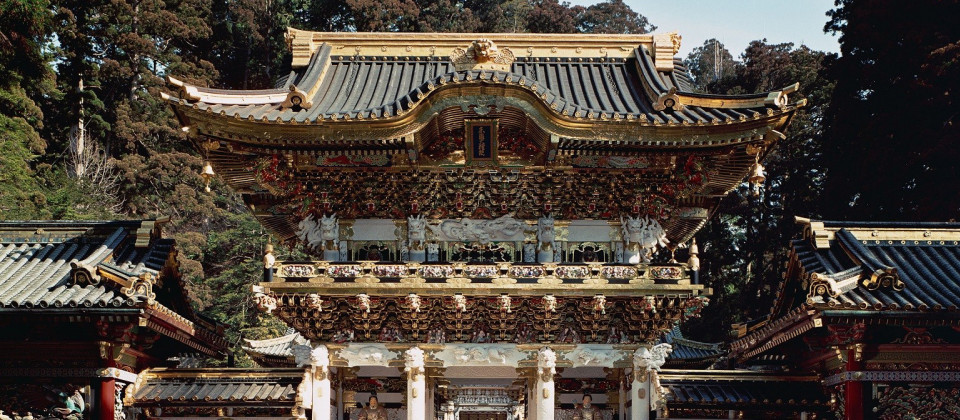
[{"x": 737, "y": 22}]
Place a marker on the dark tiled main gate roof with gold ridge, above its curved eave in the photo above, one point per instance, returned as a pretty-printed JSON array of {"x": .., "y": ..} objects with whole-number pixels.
[{"x": 635, "y": 79}]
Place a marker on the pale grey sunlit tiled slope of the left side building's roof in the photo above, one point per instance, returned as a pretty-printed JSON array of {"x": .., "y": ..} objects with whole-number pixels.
[{"x": 38, "y": 257}]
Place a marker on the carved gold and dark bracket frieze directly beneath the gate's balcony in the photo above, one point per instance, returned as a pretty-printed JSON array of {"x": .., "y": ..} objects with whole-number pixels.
[{"x": 478, "y": 320}]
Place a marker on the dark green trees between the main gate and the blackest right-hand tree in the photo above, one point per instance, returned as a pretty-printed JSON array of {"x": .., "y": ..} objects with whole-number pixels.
[{"x": 743, "y": 250}]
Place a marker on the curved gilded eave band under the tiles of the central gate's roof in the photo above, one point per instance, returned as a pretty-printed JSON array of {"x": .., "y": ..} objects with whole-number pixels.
[{"x": 643, "y": 131}]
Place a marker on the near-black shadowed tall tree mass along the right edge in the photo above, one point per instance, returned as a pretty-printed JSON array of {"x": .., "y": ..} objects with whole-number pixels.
[{"x": 894, "y": 116}]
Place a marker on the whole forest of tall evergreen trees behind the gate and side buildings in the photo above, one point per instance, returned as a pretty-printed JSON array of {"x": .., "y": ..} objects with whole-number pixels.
[{"x": 86, "y": 136}]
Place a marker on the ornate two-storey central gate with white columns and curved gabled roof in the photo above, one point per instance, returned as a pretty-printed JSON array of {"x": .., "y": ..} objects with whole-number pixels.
[{"x": 494, "y": 219}]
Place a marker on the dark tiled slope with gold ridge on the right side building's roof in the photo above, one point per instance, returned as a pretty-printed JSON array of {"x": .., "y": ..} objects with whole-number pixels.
[{"x": 887, "y": 266}]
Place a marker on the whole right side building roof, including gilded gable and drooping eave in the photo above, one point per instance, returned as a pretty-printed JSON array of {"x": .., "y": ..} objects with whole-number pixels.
[{"x": 853, "y": 269}]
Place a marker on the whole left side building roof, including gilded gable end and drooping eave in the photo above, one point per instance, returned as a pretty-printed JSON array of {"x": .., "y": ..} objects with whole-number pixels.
[{"x": 62, "y": 267}]
